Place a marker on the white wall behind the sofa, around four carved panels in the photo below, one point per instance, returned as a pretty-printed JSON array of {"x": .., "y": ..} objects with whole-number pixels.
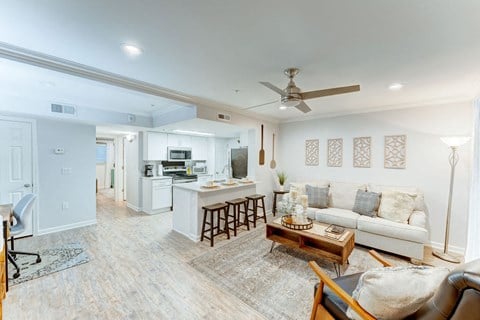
[{"x": 427, "y": 157}]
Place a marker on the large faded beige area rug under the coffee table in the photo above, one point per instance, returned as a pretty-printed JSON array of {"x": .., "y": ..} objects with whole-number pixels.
[{"x": 279, "y": 284}]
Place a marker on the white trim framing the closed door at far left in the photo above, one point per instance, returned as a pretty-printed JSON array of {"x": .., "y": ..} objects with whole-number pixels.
[{"x": 35, "y": 178}]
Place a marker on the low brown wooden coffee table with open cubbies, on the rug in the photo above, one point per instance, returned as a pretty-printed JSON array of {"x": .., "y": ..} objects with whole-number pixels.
[{"x": 313, "y": 241}]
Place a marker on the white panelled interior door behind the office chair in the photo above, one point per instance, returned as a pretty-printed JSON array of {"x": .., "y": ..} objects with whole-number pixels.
[{"x": 16, "y": 163}]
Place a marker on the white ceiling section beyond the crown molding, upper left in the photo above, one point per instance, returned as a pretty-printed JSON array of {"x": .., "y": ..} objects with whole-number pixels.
[{"x": 20, "y": 80}]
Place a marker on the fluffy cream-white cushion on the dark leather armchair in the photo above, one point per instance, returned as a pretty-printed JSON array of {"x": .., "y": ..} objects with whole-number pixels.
[{"x": 396, "y": 292}]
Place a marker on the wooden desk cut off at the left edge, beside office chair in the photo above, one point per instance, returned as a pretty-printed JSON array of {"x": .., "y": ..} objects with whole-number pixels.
[{"x": 7, "y": 214}]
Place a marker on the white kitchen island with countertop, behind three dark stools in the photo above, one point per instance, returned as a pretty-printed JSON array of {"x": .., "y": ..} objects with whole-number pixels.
[{"x": 189, "y": 198}]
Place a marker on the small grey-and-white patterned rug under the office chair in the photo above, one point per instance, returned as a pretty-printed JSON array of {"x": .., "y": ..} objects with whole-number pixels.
[{"x": 53, "y": 260}]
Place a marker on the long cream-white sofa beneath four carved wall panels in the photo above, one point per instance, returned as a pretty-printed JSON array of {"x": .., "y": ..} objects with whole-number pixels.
[{"x": 406, "y": 239}]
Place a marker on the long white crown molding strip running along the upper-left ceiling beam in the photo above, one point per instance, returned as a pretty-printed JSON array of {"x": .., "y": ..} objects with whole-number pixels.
[{"x": 46, "y": 61}]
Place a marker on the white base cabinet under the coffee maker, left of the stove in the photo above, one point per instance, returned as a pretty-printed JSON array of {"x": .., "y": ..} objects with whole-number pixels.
[{"x": 157, "y": 194}]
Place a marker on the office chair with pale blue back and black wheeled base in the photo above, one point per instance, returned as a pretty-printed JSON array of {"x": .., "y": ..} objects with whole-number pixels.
[{"x": 22, "y": 213}]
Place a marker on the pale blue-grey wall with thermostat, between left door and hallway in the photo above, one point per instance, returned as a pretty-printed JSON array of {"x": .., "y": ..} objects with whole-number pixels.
[{"x": 55, "y": 188}]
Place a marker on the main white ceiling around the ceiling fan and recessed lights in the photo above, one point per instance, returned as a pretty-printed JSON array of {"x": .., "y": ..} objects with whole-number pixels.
[{"x": 208, "y": 49}]
